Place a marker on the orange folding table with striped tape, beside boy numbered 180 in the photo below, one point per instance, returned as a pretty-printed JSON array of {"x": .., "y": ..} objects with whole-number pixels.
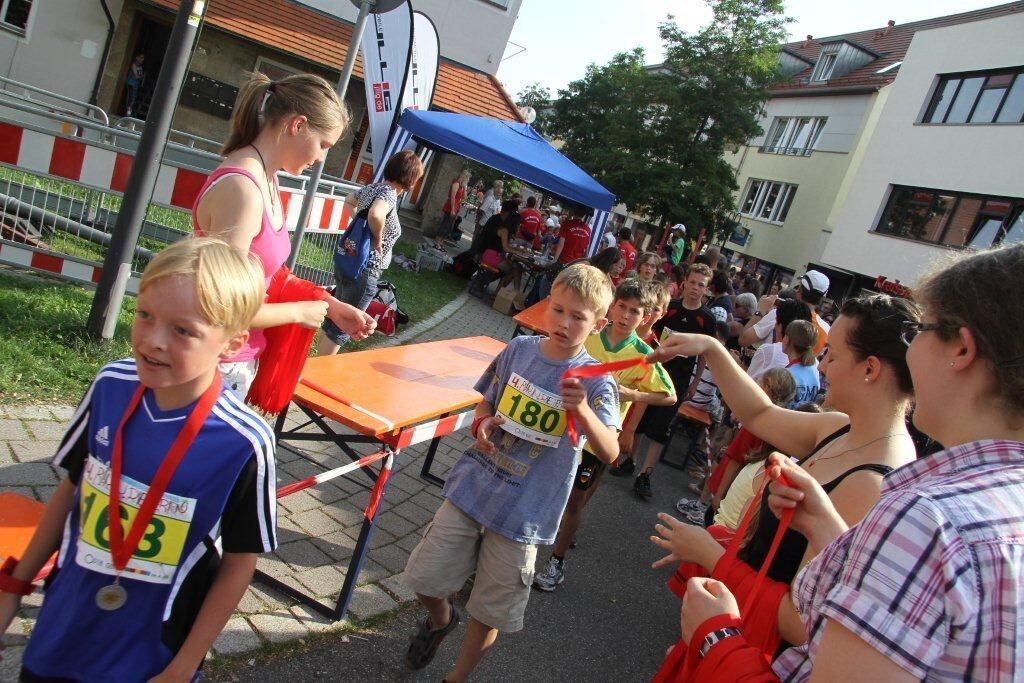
[{"x": 396, "y": 398}]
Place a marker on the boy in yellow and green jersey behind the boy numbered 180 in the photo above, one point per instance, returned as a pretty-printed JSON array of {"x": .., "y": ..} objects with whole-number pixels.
[{"x": 633, "y": 305}]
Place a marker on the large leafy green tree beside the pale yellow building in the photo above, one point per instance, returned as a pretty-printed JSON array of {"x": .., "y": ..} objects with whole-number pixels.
[{"x": 656, "y": 137}]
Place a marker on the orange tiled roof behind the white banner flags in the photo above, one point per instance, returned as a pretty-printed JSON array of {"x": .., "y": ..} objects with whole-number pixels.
[{"x": 310, "y": 35}]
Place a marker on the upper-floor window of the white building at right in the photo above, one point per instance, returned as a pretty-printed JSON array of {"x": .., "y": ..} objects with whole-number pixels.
[{"x": 979, "y": 98}]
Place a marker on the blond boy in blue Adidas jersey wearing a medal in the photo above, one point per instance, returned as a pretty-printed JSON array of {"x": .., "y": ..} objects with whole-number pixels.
[{"x": 160, "y": 444}]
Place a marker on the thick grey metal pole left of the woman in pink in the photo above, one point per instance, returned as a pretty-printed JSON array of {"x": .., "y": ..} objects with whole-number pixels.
[{"x": 143, "y": 180}]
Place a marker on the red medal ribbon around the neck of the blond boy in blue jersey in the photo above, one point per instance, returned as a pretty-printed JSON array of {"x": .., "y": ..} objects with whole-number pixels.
[{"x": 121, "y": 549}]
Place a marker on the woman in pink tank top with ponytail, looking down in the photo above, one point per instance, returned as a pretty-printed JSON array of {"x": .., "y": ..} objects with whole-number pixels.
[{"x": 282, "y": 125}]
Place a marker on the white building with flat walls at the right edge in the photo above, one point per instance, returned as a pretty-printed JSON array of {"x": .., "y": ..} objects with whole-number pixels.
[{"x": 944, "y": 170}]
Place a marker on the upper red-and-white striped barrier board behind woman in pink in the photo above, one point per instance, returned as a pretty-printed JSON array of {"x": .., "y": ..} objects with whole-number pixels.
[{"x": 102, "y": 167}]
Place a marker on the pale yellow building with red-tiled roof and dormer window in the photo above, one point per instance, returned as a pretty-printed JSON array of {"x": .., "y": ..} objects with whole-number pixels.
[{"x": 796, "y": 179}]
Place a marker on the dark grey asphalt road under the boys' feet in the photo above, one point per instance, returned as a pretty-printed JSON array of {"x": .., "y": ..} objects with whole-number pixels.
[{"x": 611, "y": 621}]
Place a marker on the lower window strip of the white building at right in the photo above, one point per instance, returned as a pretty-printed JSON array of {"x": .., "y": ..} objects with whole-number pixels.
[{"x": 953, "y": 220}]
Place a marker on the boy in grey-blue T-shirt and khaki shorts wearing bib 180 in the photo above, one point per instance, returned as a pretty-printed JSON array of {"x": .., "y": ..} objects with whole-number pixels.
[{"x": 507, "y": 493}]
